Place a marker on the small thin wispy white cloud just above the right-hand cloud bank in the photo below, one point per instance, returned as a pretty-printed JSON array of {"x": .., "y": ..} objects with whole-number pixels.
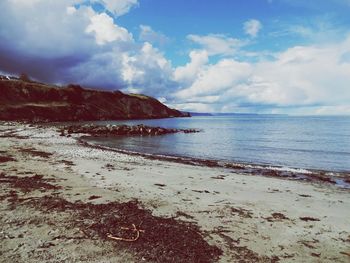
[{"x": 216, "y": 44}]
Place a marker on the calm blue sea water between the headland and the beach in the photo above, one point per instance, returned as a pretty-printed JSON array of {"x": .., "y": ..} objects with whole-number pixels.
[{"x": 321, "y": 143}]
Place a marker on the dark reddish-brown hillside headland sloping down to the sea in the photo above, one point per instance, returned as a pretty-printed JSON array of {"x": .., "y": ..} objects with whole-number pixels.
[{"x": 27, "y": 100}]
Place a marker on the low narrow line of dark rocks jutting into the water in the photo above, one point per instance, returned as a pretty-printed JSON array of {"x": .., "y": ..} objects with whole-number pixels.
[{"x": 117, "y": 130}]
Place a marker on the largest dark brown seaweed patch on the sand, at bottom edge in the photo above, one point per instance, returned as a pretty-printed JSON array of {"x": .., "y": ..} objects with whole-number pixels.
[{"x": 161, "y": 239}]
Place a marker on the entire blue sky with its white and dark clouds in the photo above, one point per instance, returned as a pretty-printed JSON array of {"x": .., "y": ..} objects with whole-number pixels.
[{"x": 261, "y": 56}]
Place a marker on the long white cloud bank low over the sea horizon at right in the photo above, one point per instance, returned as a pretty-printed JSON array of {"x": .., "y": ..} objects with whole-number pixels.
[{"x": 300, "y": 77}]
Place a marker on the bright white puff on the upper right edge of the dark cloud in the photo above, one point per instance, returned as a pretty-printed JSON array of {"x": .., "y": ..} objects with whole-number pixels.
[{"x": 106, "y": 30}]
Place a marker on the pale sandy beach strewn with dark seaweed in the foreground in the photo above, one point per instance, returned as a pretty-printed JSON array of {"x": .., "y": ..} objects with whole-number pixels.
[{"x": 55, "y": 192}]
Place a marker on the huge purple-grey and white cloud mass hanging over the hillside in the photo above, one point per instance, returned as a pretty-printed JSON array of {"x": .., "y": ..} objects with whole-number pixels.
[{"x": 67, "y": 41}]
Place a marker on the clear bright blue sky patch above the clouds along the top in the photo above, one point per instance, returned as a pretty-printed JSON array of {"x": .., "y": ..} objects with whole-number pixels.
[{"x": 180, "y": 18}]
